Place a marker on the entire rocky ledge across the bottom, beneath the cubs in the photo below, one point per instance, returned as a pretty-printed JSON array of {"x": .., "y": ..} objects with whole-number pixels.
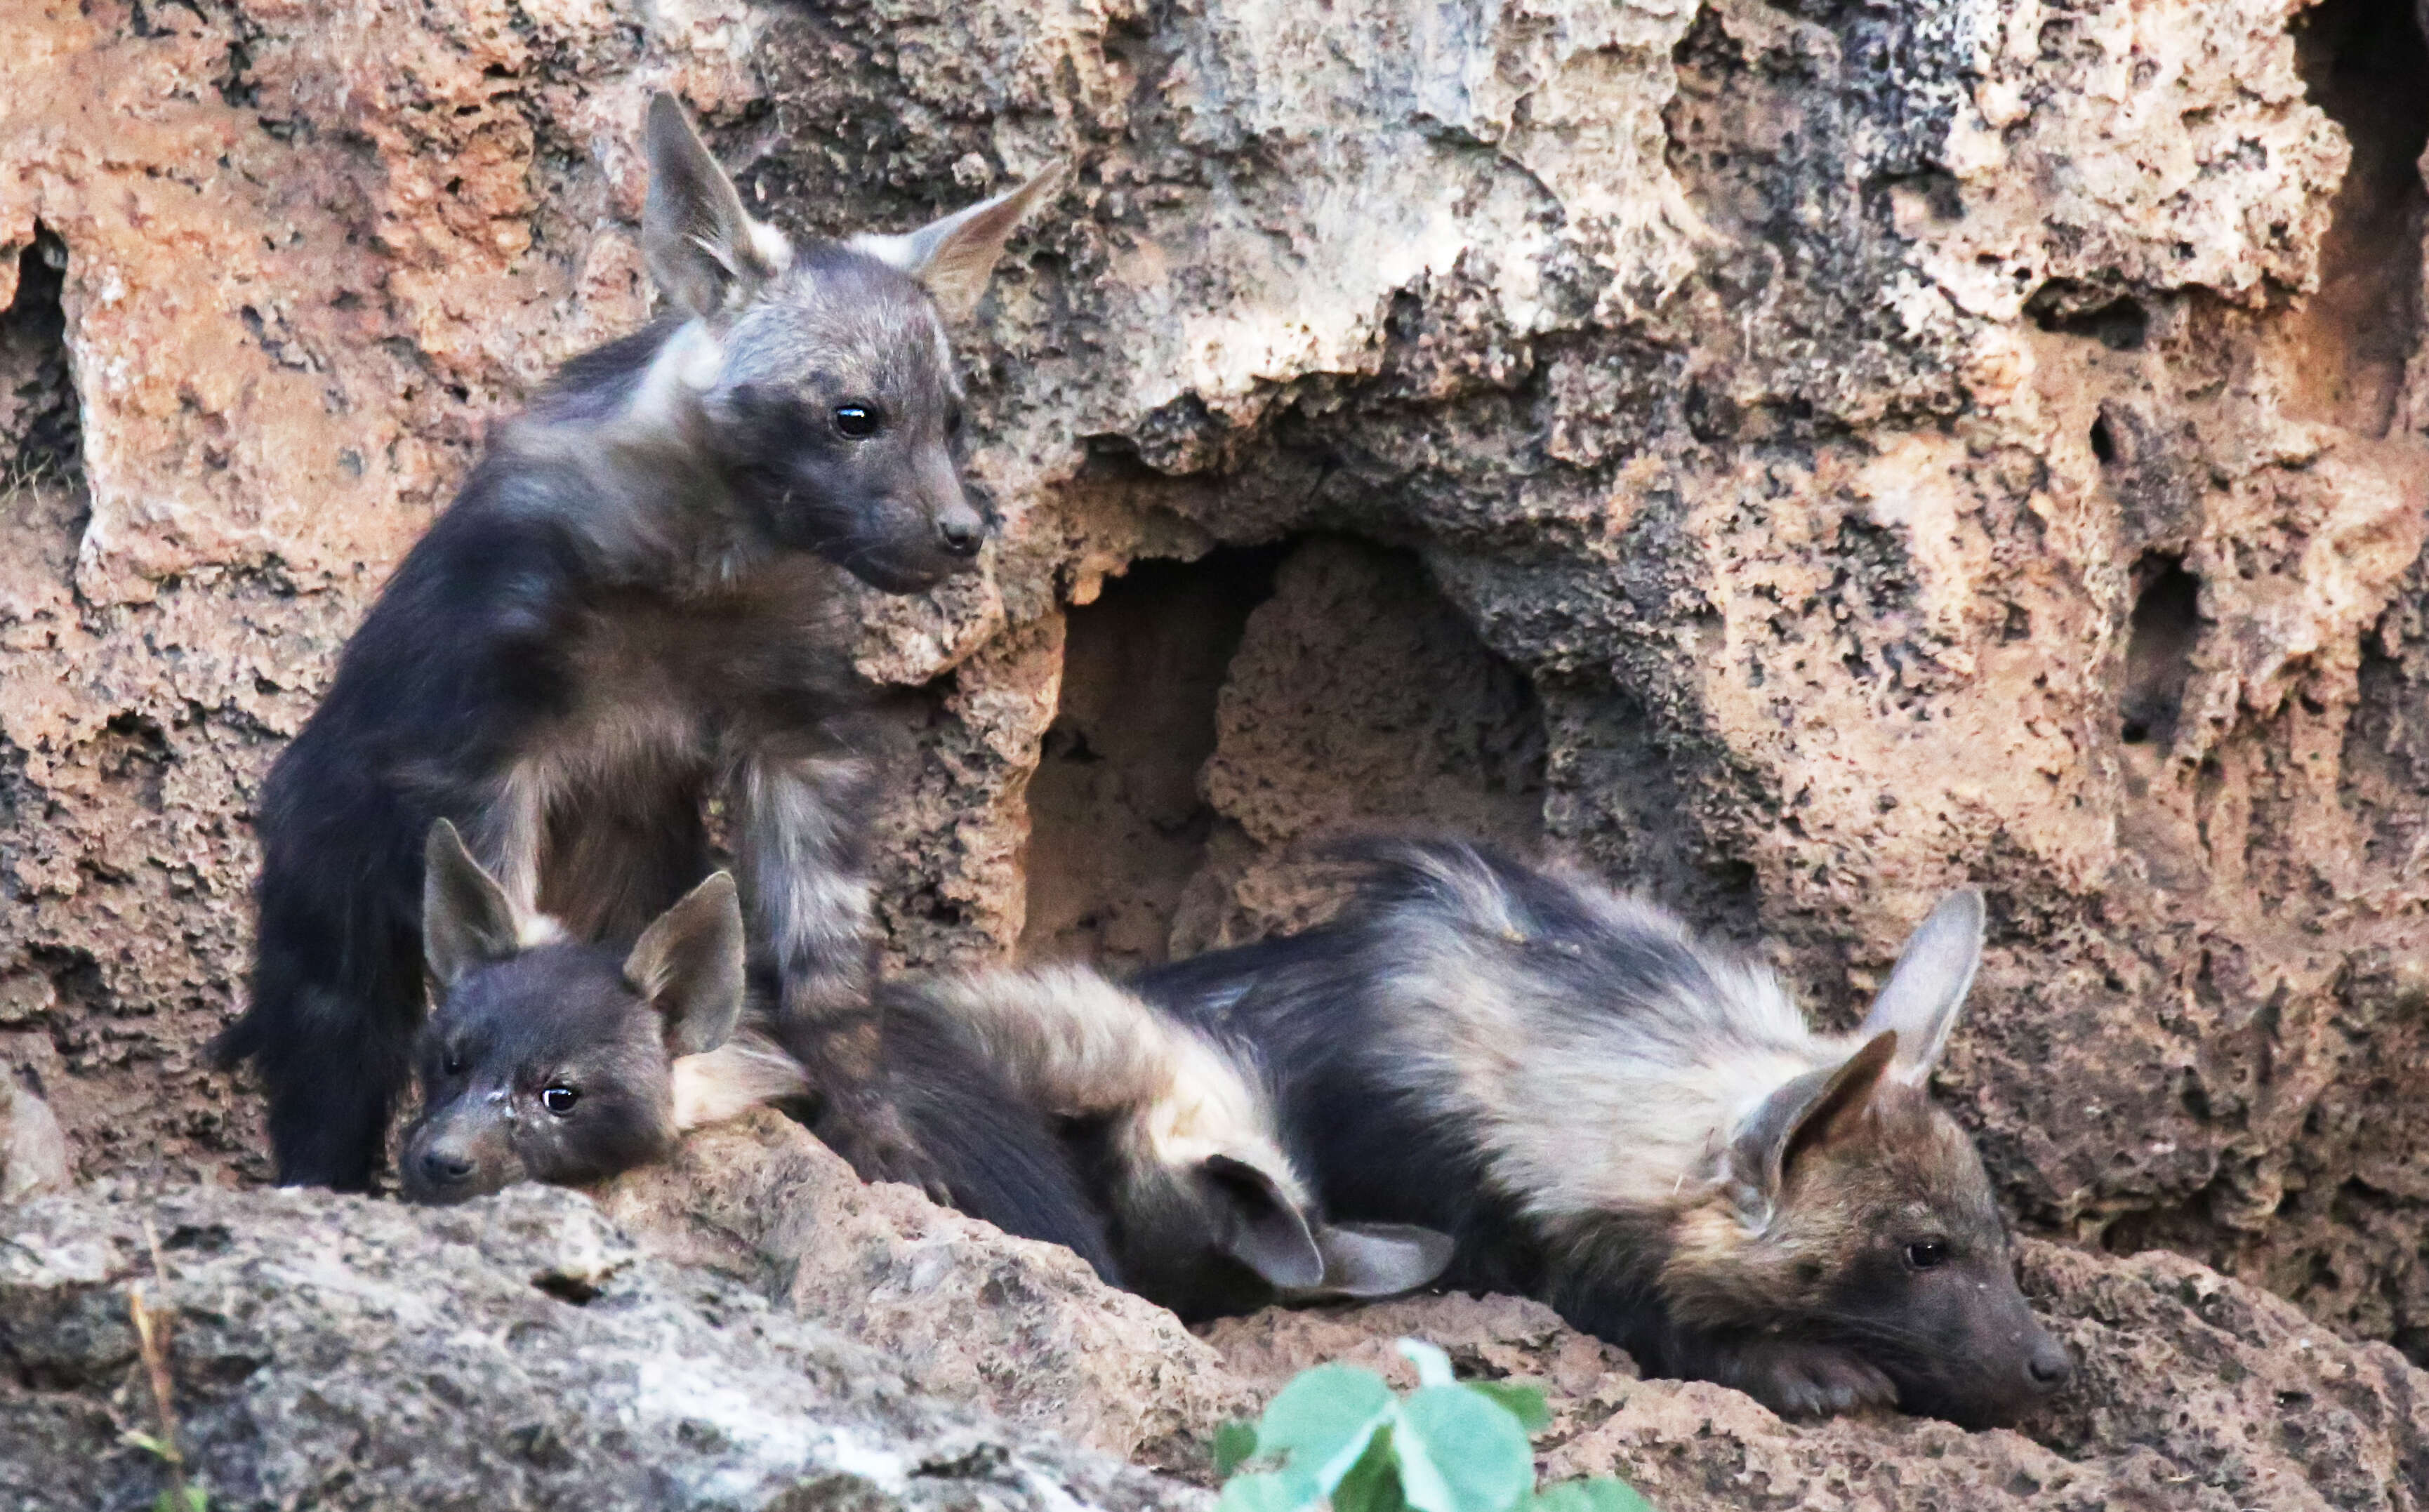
[{"x": 752, "y": 1329}]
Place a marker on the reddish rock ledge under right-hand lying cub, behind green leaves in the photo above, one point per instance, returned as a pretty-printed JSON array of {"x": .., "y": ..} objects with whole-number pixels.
[{"x": 2195, "y": 1392}]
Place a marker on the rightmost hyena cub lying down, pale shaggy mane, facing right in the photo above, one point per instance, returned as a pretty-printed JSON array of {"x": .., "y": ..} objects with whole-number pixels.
[{"x": 1643, "y": 1130}]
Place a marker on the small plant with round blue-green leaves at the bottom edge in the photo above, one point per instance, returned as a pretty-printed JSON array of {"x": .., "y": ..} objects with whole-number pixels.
[{"x": 1342, "y": 1436}]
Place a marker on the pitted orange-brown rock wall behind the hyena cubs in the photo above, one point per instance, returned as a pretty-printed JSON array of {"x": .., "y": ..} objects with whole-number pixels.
[{"x": 1794, "y": 457}]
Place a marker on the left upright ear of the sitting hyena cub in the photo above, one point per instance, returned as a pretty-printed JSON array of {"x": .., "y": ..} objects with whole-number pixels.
[{"x": 703, "y": 249}]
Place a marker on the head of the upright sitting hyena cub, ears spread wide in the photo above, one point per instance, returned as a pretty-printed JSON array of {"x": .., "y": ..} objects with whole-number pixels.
[{"x": 820, "y": 377}]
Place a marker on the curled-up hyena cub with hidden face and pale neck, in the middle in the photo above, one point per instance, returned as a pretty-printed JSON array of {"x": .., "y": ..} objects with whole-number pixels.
[{"x": 1174, "y": 1139}]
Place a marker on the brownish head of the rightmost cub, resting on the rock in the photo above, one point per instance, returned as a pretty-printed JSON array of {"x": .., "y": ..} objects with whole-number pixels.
[{"x": 1859, "y": 1215}]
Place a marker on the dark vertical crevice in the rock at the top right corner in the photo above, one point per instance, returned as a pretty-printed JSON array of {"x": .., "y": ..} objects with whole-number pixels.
[{"x": 2367, "y": 67}]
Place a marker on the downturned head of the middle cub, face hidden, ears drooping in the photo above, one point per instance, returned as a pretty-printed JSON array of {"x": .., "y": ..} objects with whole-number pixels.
[{"x": 1211, "y": 1217}]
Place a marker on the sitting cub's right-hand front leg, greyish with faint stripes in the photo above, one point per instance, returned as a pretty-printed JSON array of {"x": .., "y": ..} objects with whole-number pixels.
[{"x": 800, "y": 822}]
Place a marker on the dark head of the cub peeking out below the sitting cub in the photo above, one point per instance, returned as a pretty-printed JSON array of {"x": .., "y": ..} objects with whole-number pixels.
[{"x": 555, "y": 1062}]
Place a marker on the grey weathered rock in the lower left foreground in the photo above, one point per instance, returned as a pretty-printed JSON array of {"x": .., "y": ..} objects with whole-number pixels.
[{"x": 516, "y": 1353}]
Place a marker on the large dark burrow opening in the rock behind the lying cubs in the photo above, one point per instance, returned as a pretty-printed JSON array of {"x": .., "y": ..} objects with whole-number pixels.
[{"x": 1223, "y": 717}]
